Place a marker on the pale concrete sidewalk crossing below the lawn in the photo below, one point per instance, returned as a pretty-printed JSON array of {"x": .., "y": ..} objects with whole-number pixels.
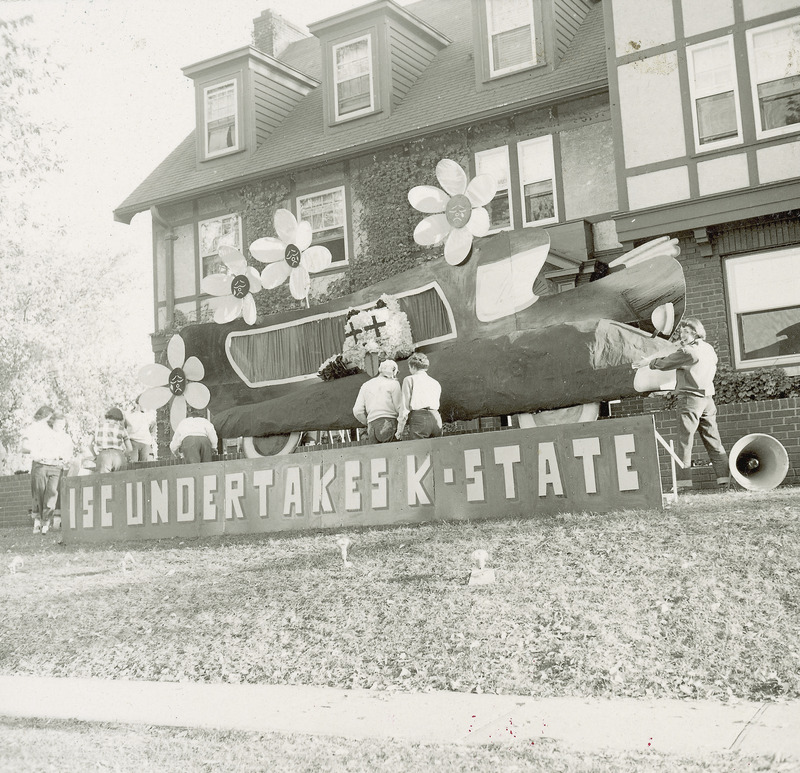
[{"x": 671, "y": 726}]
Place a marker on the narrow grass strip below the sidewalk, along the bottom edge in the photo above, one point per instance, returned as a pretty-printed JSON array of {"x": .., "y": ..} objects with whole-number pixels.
[{"x": 74, "y": 747}]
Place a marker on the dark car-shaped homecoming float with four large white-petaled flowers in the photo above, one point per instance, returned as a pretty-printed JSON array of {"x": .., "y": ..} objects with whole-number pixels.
[{"x": 496, "y": 347}]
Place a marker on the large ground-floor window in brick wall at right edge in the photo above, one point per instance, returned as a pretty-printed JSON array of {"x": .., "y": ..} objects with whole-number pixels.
[{"x": 764, "y": 297}]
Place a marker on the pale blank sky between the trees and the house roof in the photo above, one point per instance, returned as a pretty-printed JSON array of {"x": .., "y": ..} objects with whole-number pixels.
[{"x": 122, "y": 103}]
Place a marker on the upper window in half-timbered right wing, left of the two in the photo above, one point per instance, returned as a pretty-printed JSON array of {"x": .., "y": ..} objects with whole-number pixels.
[{"x": 715, "y": 97}]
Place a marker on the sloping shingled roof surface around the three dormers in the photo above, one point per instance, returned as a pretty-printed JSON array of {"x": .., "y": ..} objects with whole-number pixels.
[{"x": 445, "y": 95}]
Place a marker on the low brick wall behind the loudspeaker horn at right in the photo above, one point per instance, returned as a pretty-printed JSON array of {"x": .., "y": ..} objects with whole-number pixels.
[{"x": 779, "y": 418}]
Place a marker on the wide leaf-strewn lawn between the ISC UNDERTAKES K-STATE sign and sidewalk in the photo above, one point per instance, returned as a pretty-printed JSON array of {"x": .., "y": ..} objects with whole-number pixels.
[{"x": 699, "y": 601}]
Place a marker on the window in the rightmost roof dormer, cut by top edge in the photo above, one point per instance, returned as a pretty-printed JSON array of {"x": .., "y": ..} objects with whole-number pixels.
[{"x": 512, "y": 39}]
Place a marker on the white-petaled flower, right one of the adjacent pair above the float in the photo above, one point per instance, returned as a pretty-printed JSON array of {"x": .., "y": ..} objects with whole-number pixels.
[{"x": 290, "y": 255}]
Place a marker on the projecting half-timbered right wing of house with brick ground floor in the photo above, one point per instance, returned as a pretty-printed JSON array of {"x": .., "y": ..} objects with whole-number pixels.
[{"x": 706, "y": 121}]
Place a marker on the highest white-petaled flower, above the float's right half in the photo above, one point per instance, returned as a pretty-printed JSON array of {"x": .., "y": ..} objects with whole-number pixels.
[{"x": 459, "y": 211}]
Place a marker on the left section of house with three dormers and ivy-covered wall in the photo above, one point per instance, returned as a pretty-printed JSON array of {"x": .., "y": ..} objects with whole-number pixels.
[{"x": 518, "y": 88}]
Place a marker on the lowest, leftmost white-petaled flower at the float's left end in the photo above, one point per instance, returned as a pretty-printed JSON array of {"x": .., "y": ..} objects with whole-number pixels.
[{"x": 179, "y": 382}]
